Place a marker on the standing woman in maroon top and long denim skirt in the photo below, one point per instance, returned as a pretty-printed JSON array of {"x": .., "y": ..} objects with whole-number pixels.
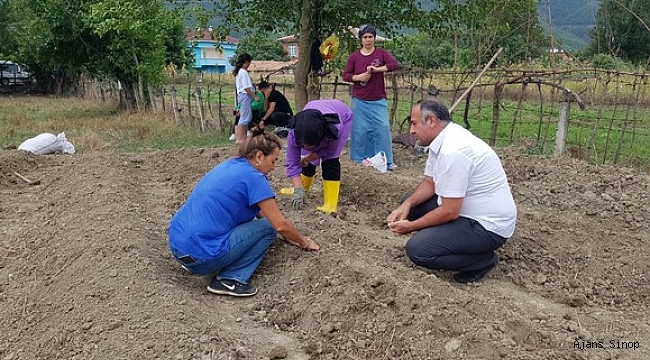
[{"x": 365, "y": 68}]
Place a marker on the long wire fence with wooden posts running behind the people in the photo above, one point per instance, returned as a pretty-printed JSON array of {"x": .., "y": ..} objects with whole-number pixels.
[{"x": 598, "y": 115}]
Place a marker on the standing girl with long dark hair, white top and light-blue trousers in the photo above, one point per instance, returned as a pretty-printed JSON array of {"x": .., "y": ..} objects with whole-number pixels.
[{"x": 245, "y": 95}]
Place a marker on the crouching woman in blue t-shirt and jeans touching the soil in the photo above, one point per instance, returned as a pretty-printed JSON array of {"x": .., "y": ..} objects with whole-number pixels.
[{"x": 231, "y": 218}]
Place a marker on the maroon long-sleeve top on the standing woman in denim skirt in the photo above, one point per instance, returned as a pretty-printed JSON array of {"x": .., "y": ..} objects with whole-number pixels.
[{"x": 375, "y": 88}]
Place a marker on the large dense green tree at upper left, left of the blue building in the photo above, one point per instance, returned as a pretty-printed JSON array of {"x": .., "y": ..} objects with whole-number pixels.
[{"x": 129, "y": 41}]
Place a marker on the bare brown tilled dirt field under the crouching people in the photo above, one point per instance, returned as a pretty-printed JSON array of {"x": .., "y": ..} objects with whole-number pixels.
[{"x": 85, "y": 271}]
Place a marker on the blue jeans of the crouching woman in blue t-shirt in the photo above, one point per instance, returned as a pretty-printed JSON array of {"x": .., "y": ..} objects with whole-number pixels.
[{"x": 248, "y": 245}]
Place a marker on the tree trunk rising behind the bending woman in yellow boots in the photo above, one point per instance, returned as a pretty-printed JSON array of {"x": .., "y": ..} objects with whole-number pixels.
[{"x": 301, "y": 74}]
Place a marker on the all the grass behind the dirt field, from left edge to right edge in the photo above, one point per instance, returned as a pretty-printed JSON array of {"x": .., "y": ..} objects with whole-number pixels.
[{"x": 602, "y": 133}]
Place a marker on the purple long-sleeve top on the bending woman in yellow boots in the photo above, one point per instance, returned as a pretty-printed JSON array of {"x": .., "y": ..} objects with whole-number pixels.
[{"x": 328, "y": 148}]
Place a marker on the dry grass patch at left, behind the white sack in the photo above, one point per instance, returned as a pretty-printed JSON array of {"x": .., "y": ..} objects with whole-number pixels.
[{"x": 93, "y": 126}]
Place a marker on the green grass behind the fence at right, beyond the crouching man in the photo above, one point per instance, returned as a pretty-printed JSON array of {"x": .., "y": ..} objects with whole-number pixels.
[{"x": 602, "y": 135}]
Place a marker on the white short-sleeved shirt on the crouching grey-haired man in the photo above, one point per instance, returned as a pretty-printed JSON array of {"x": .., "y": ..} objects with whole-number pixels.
[{"x": 464, "y": 166}]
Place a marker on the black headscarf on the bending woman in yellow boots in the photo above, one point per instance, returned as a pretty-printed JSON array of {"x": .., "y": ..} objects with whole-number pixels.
[{"x": 311, "y": 127}]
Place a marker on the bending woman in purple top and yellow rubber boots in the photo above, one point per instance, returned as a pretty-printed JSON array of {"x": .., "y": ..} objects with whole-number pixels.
[{"x": 316, "y": 136}]
